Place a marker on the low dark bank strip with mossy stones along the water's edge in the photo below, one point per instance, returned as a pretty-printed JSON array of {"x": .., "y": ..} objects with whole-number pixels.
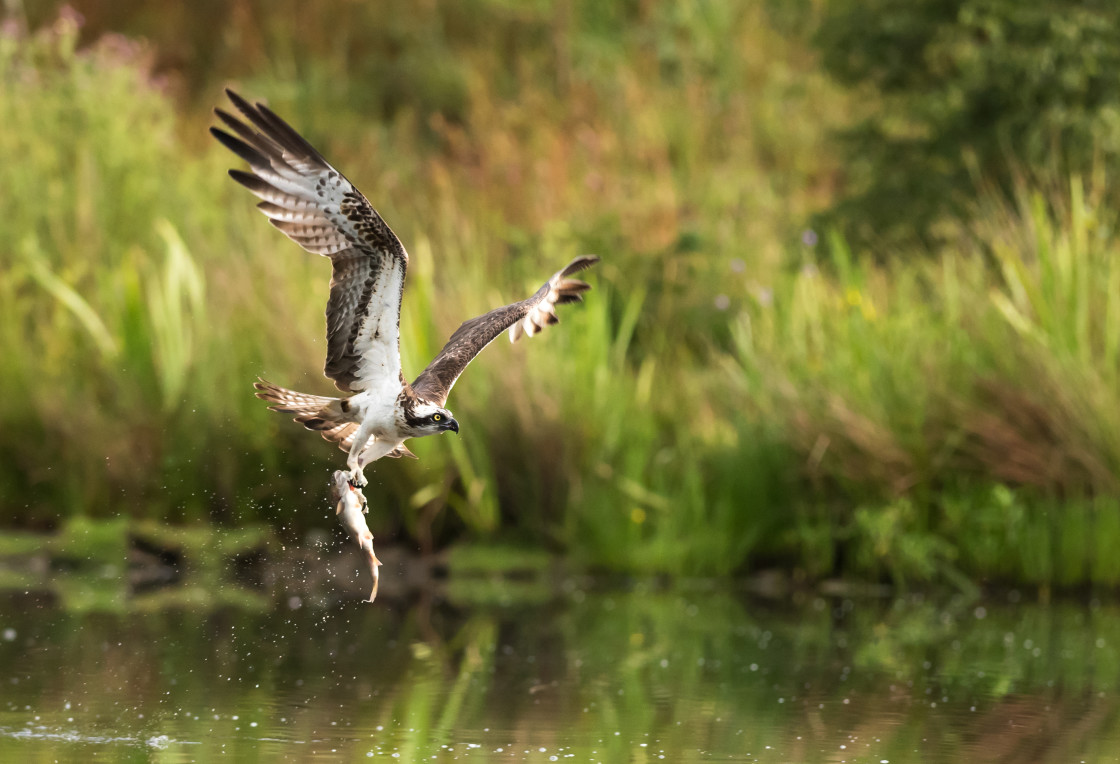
[{"x": 126, "y": 567}]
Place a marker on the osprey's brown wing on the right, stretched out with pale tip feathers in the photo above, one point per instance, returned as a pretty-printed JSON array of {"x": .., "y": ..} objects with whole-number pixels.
[{"x": 529, "y": 316}]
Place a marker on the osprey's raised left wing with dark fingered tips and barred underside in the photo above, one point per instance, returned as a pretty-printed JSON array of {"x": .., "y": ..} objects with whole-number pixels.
[{"x": 321, "y": 210}]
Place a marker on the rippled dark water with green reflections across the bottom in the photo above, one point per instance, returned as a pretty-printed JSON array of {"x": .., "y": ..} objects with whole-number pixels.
[{"x": 639, "y": 676}]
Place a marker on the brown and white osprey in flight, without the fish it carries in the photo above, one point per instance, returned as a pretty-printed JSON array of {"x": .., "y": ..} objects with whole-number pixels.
[{"x": 319, "y": 209}]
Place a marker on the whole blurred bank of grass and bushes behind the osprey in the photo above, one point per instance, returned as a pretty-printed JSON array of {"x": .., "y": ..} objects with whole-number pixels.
[{"x": 858, "y": 312}]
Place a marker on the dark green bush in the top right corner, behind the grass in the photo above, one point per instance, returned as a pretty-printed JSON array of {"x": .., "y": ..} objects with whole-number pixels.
[{"x": 966, "y": 91}]
